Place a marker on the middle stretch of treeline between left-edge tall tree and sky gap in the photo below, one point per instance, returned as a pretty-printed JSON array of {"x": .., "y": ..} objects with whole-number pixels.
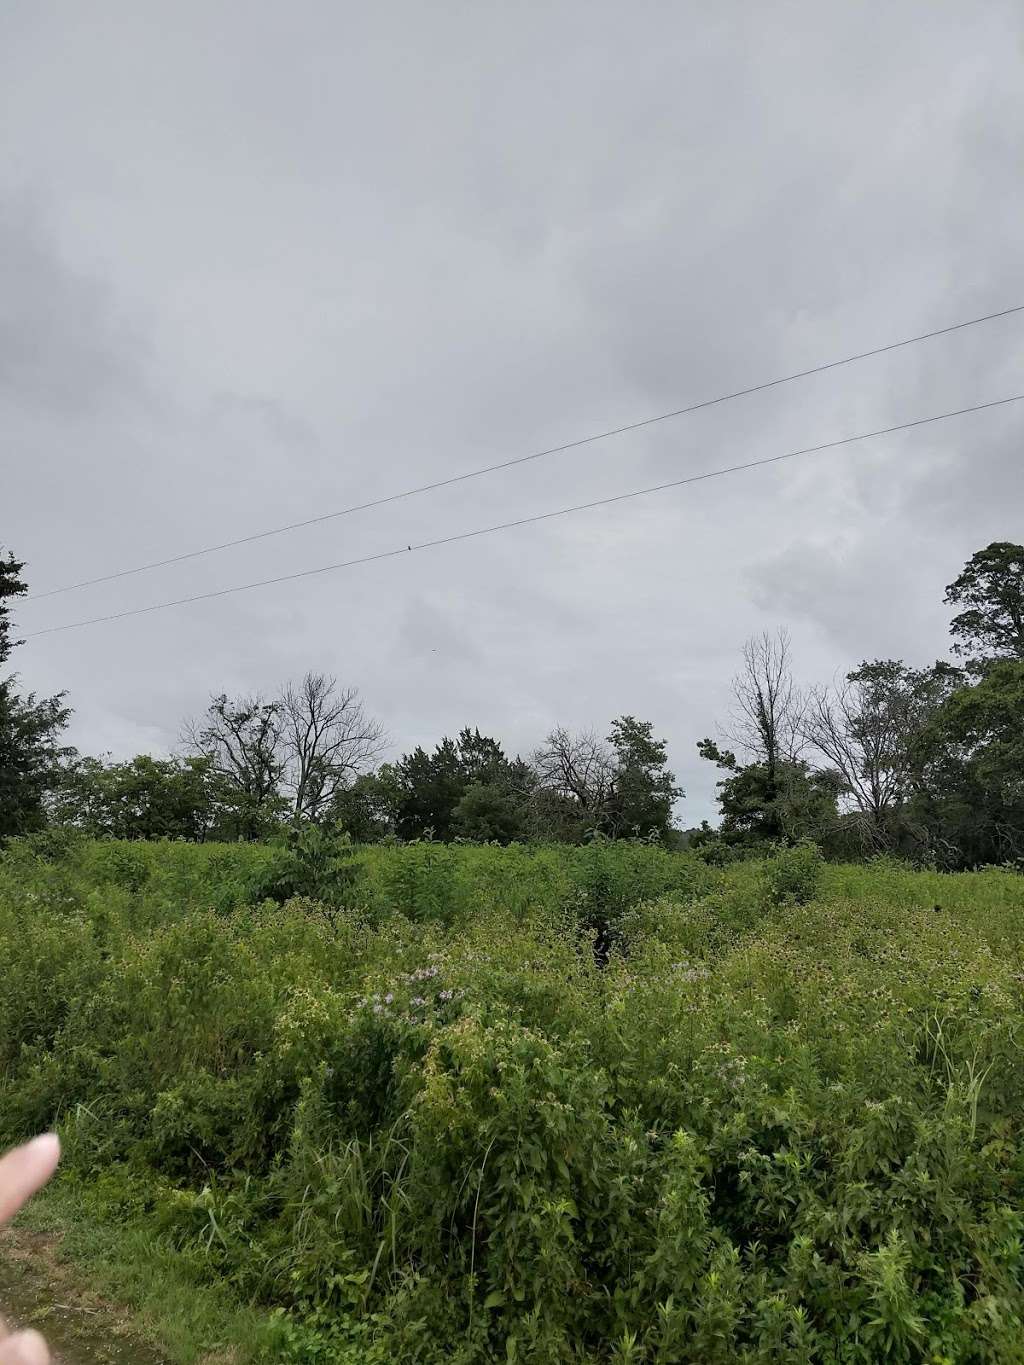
[{"x": 256, "y": 766}]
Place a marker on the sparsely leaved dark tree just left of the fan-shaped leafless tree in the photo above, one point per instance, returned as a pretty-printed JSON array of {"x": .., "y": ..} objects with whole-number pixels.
[{"x": 241, "y": 738}]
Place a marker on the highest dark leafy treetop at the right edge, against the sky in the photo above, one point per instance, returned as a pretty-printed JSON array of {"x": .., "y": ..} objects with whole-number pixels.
[{"x": 991, "y": 590}]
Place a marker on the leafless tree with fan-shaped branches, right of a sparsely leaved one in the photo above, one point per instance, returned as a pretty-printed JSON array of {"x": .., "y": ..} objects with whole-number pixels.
[{"x": 327, "y": 742}]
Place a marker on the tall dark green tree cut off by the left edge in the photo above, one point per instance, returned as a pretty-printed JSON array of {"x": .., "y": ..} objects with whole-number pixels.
[{"x": 32, "y": 753}]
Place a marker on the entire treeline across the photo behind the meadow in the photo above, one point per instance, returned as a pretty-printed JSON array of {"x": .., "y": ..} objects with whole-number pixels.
[{"x": 922, "y": 762}]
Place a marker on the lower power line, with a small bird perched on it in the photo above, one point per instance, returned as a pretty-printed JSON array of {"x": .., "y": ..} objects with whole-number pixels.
[{"x": 526, "y": 521}]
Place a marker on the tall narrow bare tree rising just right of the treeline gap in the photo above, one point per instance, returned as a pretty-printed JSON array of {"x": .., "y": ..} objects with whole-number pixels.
[{"x": 767, "y": 719}]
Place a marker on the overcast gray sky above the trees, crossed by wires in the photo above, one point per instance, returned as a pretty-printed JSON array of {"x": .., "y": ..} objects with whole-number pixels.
[{"x": 263, "y": 261}]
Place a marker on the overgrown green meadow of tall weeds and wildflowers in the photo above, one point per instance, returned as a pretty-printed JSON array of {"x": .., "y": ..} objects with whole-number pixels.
[{"x": 421, "y": 1121}]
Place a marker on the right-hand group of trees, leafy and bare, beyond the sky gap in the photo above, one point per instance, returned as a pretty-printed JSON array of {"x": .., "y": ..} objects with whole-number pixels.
[{"x": 926, "y": 764}]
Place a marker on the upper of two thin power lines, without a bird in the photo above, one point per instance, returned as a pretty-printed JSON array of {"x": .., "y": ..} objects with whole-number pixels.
[{"x": 521, "y": 459}]
